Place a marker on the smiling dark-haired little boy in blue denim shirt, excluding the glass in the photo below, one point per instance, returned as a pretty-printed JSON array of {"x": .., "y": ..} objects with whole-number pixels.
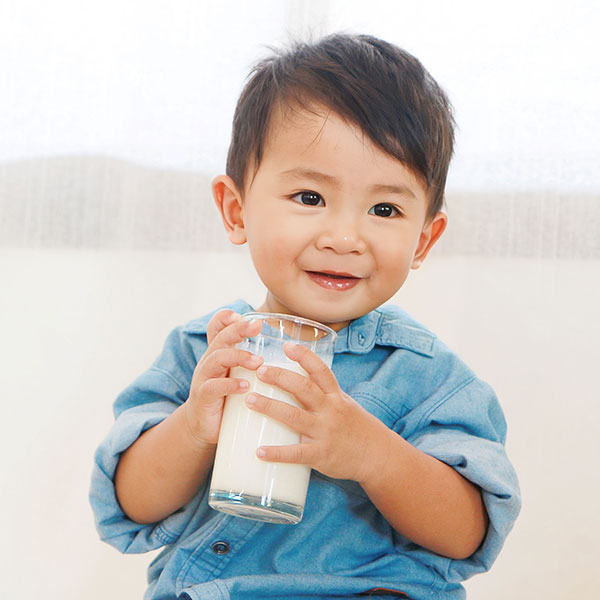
[{"x": 335, "y": 179}]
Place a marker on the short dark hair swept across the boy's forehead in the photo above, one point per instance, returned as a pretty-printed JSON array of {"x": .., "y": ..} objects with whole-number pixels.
[{"x": 371, "y": 83}]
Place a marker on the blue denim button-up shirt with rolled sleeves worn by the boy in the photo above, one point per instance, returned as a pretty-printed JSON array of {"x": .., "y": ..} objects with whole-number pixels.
[{"x": 343, "y": 547}]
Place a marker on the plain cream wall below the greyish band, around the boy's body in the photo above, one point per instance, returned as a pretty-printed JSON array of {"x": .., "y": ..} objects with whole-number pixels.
[{"x": 79, "y": 324}]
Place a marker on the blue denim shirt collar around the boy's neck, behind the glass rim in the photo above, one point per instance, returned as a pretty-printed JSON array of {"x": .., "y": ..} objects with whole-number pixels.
[{"x": 387, "y": 326}]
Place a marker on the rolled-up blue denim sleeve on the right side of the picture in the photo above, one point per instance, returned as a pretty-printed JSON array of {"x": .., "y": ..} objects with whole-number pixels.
[{"x": 467, "y": 431}]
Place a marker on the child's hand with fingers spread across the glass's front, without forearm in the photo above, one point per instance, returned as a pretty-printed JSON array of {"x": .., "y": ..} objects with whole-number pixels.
[{"x": 337, "y": 434}]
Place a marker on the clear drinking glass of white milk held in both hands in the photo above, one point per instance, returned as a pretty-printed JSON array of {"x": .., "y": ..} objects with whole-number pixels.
[{"x": 242, "y": 484}]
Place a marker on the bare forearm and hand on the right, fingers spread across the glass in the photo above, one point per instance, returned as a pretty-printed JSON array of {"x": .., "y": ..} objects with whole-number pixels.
[{"x": 424, "y": 499}]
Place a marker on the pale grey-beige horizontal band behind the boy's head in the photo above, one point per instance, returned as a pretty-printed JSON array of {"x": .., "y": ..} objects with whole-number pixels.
[{"x": 103, "y": 202}]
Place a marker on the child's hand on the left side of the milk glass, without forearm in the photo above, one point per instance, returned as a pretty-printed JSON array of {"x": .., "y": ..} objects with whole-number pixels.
[{"x": 210, "y": 382}]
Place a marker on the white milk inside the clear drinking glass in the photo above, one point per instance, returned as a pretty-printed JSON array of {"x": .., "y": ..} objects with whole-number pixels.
[{"x": 237, "y": 469}]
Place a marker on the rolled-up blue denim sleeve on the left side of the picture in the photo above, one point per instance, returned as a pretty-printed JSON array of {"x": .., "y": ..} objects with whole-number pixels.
[{"x": 152, "y": 397}]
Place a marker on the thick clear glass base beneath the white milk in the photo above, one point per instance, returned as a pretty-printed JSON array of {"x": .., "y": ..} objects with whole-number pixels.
[{"x": 255, "y": 507}]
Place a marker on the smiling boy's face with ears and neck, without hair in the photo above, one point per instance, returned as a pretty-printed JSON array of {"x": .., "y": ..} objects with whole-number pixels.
[{"x": 332, "y": 222}]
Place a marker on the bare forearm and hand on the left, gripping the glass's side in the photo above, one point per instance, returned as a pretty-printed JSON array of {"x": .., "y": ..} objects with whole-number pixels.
[{"x": 164, "y": 468}]
